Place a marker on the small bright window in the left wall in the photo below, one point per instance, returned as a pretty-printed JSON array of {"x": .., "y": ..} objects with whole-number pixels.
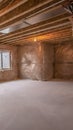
[{"x": 5, "y": 60}]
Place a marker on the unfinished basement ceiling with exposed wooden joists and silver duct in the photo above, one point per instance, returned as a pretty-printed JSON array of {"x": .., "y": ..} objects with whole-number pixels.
[{"x": 21, "y": 21}]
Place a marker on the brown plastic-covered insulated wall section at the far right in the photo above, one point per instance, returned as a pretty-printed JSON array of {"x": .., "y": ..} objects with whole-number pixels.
[{"x": 64, "y": 60}]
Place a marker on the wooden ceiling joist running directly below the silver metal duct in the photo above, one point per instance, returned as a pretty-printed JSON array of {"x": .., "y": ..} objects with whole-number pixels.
[{"x": 48, "y": 22}]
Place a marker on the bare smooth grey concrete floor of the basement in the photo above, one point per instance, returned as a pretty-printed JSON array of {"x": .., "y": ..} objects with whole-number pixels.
[{"x": 35, "y": 105}]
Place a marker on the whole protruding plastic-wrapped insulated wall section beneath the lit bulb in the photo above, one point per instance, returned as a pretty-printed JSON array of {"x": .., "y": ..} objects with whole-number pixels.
[{"x": 36, "y": 61}]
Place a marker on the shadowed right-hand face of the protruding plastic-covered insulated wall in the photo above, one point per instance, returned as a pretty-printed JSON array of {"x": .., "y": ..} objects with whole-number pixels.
[{"x": 48, "y": 61}]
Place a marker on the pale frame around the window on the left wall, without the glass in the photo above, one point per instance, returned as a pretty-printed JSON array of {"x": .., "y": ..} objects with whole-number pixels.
[{"x": 10, "y": 59}]
